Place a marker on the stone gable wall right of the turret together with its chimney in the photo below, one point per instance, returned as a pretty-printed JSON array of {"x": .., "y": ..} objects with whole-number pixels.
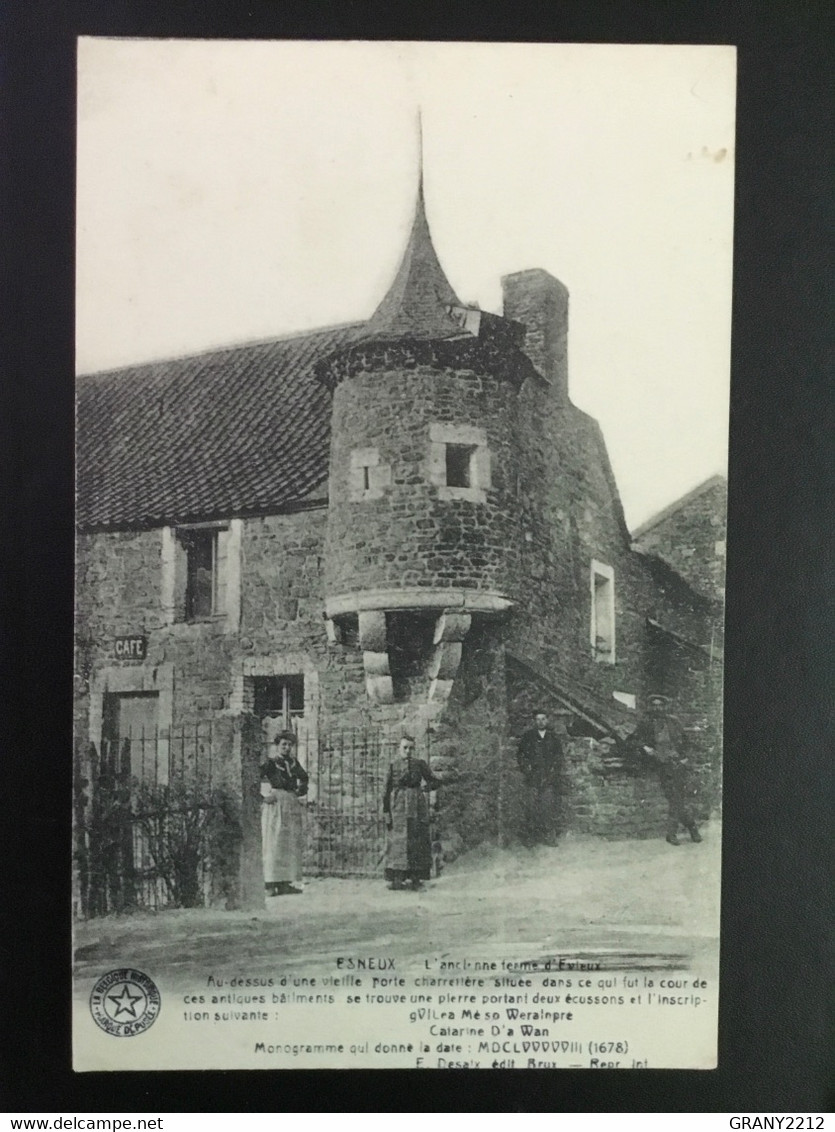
[{"x": 570, "y": 516}]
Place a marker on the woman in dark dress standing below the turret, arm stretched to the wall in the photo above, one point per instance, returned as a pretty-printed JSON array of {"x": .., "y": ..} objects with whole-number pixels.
[{"x": 409, "y": 847}]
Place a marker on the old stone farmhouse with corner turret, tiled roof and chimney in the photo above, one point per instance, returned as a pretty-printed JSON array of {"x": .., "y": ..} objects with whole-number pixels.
[{"x": 398, "y": 525}]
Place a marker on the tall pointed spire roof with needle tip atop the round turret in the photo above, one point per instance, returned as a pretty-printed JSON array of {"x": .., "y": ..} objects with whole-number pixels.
[{"x": 418, "y": 303}]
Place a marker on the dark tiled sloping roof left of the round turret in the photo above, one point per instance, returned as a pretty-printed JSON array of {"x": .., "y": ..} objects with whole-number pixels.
[{"x": 231, "y": 432}]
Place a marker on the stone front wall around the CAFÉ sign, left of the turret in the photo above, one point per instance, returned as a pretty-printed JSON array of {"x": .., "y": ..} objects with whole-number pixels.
[{"x": 282, "y": 628}]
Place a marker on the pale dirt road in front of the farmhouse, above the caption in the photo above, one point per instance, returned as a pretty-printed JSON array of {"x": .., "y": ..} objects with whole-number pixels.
[{"x": 644, "y": 898}]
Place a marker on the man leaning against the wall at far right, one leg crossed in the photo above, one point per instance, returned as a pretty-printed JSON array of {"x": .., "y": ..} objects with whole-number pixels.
[{"x": 661, "y": 737}]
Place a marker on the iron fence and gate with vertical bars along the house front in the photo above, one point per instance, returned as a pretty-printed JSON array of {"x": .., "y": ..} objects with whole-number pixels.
[{"x": 156, "y": 822}]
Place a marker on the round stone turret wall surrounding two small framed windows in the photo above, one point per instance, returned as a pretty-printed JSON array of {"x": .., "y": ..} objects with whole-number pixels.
[{"x": 408, "y": 531}]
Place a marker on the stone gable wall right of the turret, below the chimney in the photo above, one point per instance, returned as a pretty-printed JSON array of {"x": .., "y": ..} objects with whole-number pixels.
[{"x": 571, "y": 517}]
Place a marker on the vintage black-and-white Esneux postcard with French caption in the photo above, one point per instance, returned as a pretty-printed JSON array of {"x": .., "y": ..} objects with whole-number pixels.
[{"x": 403, "y": 385}]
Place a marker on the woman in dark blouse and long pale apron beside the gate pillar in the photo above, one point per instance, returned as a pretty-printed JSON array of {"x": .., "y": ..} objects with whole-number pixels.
[{"x": 285, "y": 782}]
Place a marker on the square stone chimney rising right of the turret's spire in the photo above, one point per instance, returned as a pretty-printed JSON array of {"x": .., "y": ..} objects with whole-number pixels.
[{"x": 540, "y": 303}]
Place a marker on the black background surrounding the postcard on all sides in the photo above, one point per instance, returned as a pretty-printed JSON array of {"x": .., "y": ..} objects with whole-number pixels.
[{"x": 777, "y": 1007}]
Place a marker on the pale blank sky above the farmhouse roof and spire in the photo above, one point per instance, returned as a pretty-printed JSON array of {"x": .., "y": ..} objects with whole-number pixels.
[{"x": 231, "y": 191}]
